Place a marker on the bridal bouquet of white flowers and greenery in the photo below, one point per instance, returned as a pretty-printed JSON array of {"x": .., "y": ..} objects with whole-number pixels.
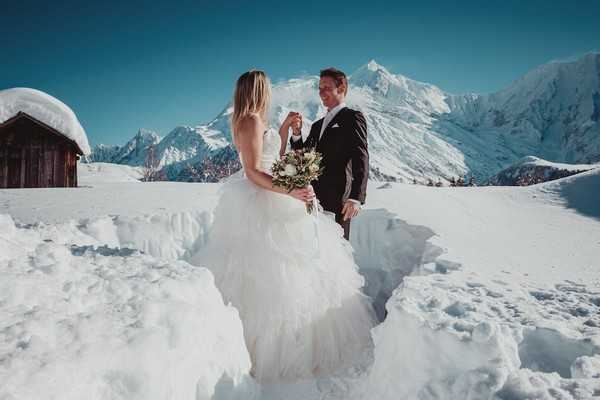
[{"x": 297, "y": 169}]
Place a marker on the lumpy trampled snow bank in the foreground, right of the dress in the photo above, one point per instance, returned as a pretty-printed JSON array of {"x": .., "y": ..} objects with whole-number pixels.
[{"x": 455, "y": 337}]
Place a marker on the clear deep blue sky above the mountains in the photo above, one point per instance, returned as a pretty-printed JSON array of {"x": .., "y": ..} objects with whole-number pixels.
[{"x": 146, "y": 64}]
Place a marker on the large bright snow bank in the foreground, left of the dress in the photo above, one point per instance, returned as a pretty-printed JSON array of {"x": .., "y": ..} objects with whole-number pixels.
[{"x": 83, "y": 321}]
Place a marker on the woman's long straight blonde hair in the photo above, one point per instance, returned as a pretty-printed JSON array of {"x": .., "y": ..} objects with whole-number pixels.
[{"x": 252, "y": 95}]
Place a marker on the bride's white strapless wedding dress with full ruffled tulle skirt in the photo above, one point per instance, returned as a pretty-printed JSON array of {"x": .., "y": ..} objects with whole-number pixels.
[{"x": 299, "y": 297}]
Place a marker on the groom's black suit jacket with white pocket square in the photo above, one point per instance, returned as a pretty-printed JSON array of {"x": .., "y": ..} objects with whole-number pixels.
[{"x": 345, "y": 159}]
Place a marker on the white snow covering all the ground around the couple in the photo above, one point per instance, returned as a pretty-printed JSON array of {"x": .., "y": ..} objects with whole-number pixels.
[{"x": 483, "y": 292}]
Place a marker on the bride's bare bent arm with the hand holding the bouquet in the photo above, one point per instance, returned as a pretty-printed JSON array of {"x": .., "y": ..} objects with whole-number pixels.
[{"x": 250, "y": 142}]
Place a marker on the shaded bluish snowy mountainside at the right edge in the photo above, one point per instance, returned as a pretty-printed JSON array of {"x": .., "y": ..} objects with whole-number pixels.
[{"x": 552, "y": 112}]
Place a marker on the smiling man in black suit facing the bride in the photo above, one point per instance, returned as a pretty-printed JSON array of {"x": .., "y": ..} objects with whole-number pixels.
[{"x": 341, "y": 137}]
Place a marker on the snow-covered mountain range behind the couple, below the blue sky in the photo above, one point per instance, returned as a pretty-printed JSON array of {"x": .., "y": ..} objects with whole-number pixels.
[{"x": 417, "y": 130}]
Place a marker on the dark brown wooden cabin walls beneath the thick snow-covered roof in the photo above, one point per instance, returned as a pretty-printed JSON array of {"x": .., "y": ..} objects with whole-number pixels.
[{"x": 34, "y": 155}]
